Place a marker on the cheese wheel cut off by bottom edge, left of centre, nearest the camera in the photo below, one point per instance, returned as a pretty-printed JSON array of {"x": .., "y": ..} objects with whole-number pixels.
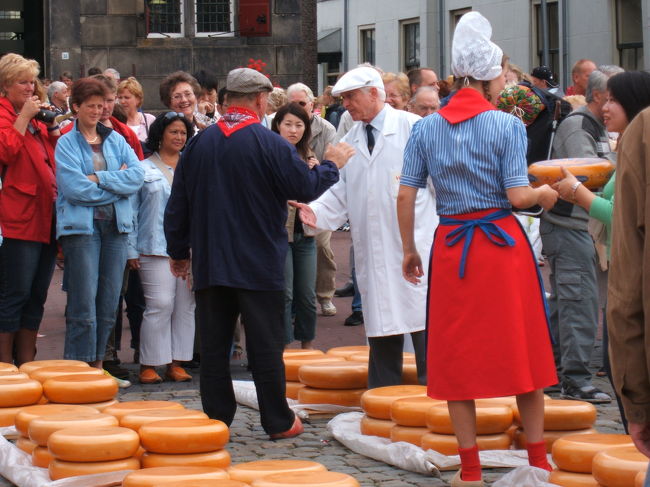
[{"x": 153, "y": 477}]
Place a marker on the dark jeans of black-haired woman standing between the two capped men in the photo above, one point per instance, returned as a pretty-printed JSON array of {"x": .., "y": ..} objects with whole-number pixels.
[{"x": 300, "y": 289}]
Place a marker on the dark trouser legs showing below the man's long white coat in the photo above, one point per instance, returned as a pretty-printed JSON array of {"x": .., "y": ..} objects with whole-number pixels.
[{"x": 386, "y": 358}]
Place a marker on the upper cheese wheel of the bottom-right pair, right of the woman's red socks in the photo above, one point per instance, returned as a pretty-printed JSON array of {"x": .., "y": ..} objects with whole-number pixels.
[{"x": 575, "y": 453}]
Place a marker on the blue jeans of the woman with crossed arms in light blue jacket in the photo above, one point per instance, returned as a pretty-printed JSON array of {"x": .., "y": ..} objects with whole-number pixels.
[{"x": 94, "y": 267}]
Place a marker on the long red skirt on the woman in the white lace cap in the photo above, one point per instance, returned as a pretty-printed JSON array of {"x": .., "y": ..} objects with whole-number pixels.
[{"x": 488, "y": 332}]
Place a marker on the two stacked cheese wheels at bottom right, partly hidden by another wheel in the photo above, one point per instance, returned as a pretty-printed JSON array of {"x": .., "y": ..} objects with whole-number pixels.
[{"x": 574, "y": 455}]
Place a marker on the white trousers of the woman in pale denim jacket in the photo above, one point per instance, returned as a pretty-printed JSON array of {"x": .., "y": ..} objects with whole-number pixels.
[{"x": 168, "y": 323}]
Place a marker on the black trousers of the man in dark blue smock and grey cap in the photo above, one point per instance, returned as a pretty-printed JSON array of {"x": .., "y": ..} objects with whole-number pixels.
[{"x": 262, "y": 314}]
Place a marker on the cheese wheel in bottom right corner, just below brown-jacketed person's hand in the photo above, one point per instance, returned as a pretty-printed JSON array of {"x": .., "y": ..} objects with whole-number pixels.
[{"x": 618, "y": 467}]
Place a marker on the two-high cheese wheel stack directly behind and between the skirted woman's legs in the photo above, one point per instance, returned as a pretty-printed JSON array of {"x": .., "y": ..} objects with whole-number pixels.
[{"x": 492, "y": 422}]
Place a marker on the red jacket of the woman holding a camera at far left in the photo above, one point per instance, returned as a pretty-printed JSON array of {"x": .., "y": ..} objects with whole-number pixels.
[{"x": 28, "y": 179}]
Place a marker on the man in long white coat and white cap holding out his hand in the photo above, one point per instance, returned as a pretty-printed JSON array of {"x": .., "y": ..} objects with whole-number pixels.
[{"x": 366, "y": 194}]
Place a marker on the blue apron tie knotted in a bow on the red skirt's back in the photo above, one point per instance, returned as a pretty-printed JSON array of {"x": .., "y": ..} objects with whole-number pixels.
[{"x": 465, "y": 231}]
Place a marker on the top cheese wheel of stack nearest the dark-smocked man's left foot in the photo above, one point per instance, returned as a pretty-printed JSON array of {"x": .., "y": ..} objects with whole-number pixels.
[{"x": 184, "y": 435}]
